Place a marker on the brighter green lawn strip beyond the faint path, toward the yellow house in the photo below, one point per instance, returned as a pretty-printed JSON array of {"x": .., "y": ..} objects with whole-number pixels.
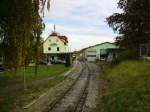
[{"x": 9, "y": 77}]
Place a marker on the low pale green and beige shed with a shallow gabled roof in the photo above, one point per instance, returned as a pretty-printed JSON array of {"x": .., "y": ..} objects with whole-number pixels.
[{"x": 101, "y": 51}]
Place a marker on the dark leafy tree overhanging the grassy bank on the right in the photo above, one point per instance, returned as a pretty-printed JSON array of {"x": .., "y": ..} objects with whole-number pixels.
[{"x": 133, "y": 25}]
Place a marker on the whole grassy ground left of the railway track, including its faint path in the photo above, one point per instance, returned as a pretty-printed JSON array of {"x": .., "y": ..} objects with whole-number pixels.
[{"x": 12, "y": 95}]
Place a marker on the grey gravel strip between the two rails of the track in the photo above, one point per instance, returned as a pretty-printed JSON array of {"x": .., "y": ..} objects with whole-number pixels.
[{"x": 70, "y": 100}]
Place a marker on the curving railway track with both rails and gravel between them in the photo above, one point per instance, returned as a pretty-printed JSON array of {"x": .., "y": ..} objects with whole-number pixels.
[{"x": 74, "y": 98}]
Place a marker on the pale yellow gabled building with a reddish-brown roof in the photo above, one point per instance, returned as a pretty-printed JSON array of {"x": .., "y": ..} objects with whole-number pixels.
[{"x": 55, "y": 47}]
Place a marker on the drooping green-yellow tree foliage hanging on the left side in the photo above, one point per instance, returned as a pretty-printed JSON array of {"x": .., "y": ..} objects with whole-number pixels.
[{"x": 21, "y": 26}]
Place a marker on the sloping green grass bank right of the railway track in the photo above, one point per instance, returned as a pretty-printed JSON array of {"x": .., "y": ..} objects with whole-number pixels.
[{"x": 128, "y": 88}]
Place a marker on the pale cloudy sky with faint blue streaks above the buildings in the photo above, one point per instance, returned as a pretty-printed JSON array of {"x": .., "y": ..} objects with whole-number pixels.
[{"x": 82, "y": 21}]
